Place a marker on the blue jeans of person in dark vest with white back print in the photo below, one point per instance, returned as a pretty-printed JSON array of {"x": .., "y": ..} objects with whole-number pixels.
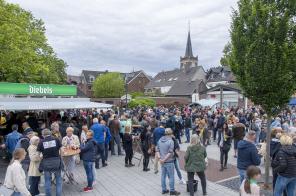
[{"x": 58, "y": 178}]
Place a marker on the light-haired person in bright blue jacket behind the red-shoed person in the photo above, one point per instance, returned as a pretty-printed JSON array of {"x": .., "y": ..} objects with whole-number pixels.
[{"x": 99, "y": 137}]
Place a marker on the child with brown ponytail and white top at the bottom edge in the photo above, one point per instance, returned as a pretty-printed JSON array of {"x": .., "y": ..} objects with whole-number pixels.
[{"x": 249, "y": 186}]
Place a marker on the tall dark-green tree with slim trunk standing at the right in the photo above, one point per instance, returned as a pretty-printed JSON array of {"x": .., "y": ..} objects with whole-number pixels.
[{"x": 263, "y": 54}]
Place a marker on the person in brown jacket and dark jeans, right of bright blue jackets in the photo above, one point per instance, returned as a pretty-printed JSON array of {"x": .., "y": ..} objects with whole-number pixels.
[{"x": 115, "y": 129}]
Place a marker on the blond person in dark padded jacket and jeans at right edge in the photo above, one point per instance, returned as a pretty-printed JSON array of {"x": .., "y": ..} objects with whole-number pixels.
[{"x": 285, "y": 166}]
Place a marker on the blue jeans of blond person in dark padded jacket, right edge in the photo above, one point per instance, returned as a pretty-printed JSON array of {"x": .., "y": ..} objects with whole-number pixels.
[{"x": 283, "y": 183}]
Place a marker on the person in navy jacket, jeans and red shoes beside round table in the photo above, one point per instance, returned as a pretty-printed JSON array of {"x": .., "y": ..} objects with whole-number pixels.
[{"x": 88, "y": 154}]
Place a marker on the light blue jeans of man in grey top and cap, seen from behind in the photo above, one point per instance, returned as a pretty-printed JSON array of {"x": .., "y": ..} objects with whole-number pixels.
[{"x": 167, "y": 169}]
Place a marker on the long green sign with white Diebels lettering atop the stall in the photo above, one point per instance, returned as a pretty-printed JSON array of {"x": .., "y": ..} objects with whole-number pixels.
[{"x": 37, "y": 89}]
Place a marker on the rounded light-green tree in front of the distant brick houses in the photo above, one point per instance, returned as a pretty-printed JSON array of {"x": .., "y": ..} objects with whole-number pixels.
[{"x": 109, "y": 85}]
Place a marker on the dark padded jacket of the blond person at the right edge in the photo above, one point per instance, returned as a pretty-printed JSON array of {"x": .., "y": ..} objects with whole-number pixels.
[{"x": 285, "y": 162}]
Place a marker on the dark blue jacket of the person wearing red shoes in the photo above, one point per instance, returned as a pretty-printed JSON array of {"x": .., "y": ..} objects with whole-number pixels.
[{"x": 88, "y": 150}]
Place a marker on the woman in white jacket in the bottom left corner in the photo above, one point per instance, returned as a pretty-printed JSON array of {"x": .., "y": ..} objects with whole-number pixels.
[{"x": 15, "y": 178}]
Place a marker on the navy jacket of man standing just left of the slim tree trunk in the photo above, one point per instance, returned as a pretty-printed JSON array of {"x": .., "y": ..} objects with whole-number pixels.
[{"x": 247, "y": 155}]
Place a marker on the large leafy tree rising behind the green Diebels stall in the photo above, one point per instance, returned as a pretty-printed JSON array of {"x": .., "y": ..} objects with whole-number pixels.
[{"x": 25, "y": 55}]
